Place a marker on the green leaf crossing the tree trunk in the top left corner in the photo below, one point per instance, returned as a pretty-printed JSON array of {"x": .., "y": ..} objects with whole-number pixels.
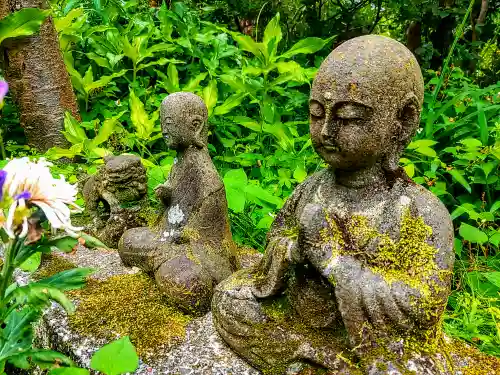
[{"x": 23, "y": 22}]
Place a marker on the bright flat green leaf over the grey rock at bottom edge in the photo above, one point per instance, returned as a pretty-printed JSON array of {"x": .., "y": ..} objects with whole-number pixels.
[{"x": 118, "y": 357}]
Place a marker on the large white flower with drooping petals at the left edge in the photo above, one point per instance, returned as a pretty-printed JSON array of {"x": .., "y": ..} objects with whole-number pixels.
[{"x": 31, "y": 183}]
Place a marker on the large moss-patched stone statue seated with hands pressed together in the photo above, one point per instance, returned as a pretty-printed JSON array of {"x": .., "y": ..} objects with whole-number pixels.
[{"x": 358, "y": 264}]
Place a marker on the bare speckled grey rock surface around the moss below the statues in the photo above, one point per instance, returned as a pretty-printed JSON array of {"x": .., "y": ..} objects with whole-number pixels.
[{"x": 202, "y": 351}]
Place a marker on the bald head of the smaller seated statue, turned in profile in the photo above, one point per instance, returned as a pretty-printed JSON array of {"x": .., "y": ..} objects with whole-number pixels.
[{"x": 184, "y": 121}]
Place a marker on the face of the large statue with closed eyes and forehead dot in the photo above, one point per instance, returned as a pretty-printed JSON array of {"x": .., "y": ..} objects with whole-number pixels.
[{"x": 349, "y": 134}]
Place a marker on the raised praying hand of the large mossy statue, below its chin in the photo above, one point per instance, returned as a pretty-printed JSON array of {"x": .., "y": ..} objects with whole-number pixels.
[{"x": 320, "y": 238}]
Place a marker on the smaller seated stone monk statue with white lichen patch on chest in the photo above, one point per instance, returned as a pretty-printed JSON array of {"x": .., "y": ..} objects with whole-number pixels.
[{"x": 190, "y": 250}]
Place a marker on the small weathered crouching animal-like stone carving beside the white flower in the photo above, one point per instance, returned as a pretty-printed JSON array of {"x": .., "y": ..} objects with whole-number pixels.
[{"x": 116, "y": 197}]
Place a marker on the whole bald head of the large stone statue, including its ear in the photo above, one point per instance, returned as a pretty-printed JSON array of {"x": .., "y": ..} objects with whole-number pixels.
[{"x": 365, "y": 103}]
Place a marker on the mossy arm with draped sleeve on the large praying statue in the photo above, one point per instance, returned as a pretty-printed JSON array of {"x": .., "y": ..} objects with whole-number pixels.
[{"x": 366, "y": 294}]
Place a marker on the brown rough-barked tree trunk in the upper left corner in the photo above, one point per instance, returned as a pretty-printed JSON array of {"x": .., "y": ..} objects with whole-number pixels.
[{"x": 39, "y": 81}]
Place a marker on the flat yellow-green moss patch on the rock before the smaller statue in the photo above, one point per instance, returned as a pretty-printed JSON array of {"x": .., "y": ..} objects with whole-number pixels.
[{"x": 128, "y": 305}]
